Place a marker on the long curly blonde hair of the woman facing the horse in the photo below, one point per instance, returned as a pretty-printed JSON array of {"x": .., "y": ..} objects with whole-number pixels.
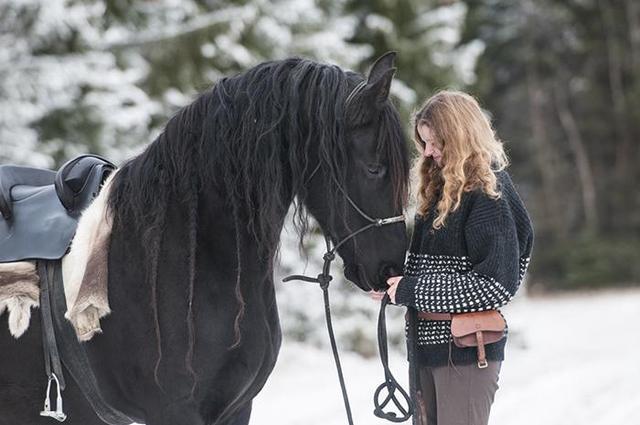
[{"x": 471, "y": 153}]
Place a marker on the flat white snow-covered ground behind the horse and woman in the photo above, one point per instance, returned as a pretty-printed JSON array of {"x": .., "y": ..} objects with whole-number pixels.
[{"x": 570, "y": 360}]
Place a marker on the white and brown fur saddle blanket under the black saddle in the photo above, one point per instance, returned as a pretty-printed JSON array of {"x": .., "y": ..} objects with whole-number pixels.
[{"x": 84, "y": 270}]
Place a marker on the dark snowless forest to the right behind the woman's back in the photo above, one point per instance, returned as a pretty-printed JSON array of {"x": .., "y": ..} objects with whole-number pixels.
[{"x": 563, "y": 91}]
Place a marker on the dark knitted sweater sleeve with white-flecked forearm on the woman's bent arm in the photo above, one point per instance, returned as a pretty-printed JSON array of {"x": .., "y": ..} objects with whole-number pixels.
[{"x": 494, "y": 273}]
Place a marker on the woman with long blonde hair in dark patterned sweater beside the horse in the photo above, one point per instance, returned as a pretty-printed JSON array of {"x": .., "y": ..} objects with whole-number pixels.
[{"x": 469, "y": 251}]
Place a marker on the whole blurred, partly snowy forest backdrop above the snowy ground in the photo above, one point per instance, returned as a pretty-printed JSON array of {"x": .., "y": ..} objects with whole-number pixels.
[{"x": 561, "y": 79}]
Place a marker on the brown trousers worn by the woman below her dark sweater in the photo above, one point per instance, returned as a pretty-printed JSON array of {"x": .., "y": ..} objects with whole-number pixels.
[{"x": 457, "y": 395}]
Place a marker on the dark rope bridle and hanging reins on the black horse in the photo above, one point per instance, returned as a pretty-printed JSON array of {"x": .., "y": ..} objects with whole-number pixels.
[{"x": 324, "y": 278}]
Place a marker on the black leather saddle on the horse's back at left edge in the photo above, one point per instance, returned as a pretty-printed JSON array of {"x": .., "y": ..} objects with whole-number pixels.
[{"x": 40, "y": 208}]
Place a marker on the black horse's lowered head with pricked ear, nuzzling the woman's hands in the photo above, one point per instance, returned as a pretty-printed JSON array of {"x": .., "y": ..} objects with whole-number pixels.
[{"x": 374, "y": 181}]
